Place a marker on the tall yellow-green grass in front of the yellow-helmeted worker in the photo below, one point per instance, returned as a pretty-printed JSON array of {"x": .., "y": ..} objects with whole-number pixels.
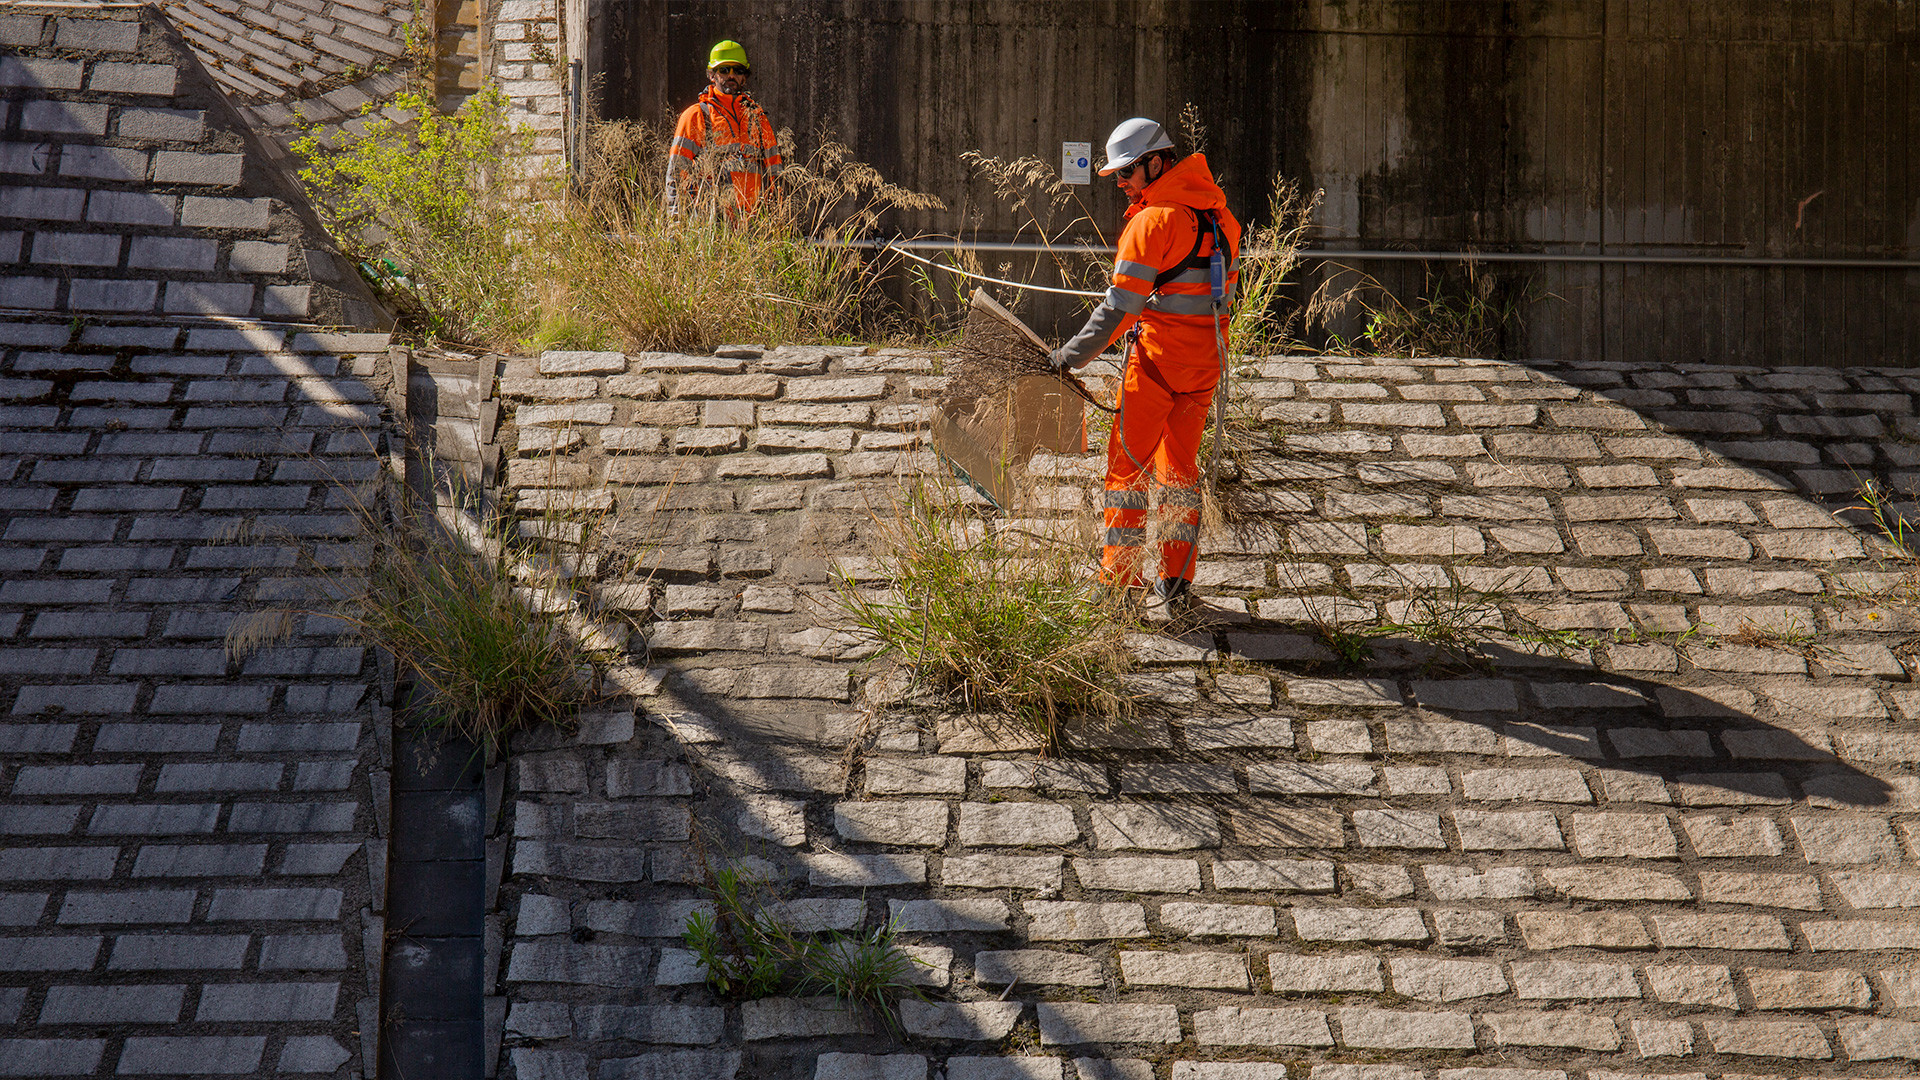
[{"x": 479, "y": 253}]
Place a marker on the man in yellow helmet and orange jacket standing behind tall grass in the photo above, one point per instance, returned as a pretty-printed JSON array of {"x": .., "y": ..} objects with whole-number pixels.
[{"x": 729, "y": 120}]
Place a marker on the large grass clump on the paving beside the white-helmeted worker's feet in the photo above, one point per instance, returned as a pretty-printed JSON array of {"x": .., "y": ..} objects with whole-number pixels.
[{"x": 1005, "y": 622}]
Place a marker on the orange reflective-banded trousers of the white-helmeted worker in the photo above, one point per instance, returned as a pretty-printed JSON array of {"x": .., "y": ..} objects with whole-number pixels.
[{"x": 1157, "y": 433}]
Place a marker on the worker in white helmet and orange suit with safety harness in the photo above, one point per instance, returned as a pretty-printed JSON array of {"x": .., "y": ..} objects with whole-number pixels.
[{"x": 1166, "y": 278}]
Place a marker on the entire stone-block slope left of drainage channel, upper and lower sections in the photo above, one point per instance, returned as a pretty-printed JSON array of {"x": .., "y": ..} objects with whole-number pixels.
[{"x": 193, "y": 850}]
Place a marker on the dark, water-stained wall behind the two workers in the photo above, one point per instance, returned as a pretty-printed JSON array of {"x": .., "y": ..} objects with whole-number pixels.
[{"x": 1629, "y": 128}]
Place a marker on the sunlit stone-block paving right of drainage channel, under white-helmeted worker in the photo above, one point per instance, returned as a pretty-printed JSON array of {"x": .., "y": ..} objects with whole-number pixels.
[{"x": 1681, "y": 847}]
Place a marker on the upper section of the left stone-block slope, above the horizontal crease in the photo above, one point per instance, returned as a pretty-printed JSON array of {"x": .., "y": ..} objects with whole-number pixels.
[{"x": 132, "y": 187}]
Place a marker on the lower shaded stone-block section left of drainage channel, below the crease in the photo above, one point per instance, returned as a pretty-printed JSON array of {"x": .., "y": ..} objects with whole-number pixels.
[{"x": 189, "y": 847}]
